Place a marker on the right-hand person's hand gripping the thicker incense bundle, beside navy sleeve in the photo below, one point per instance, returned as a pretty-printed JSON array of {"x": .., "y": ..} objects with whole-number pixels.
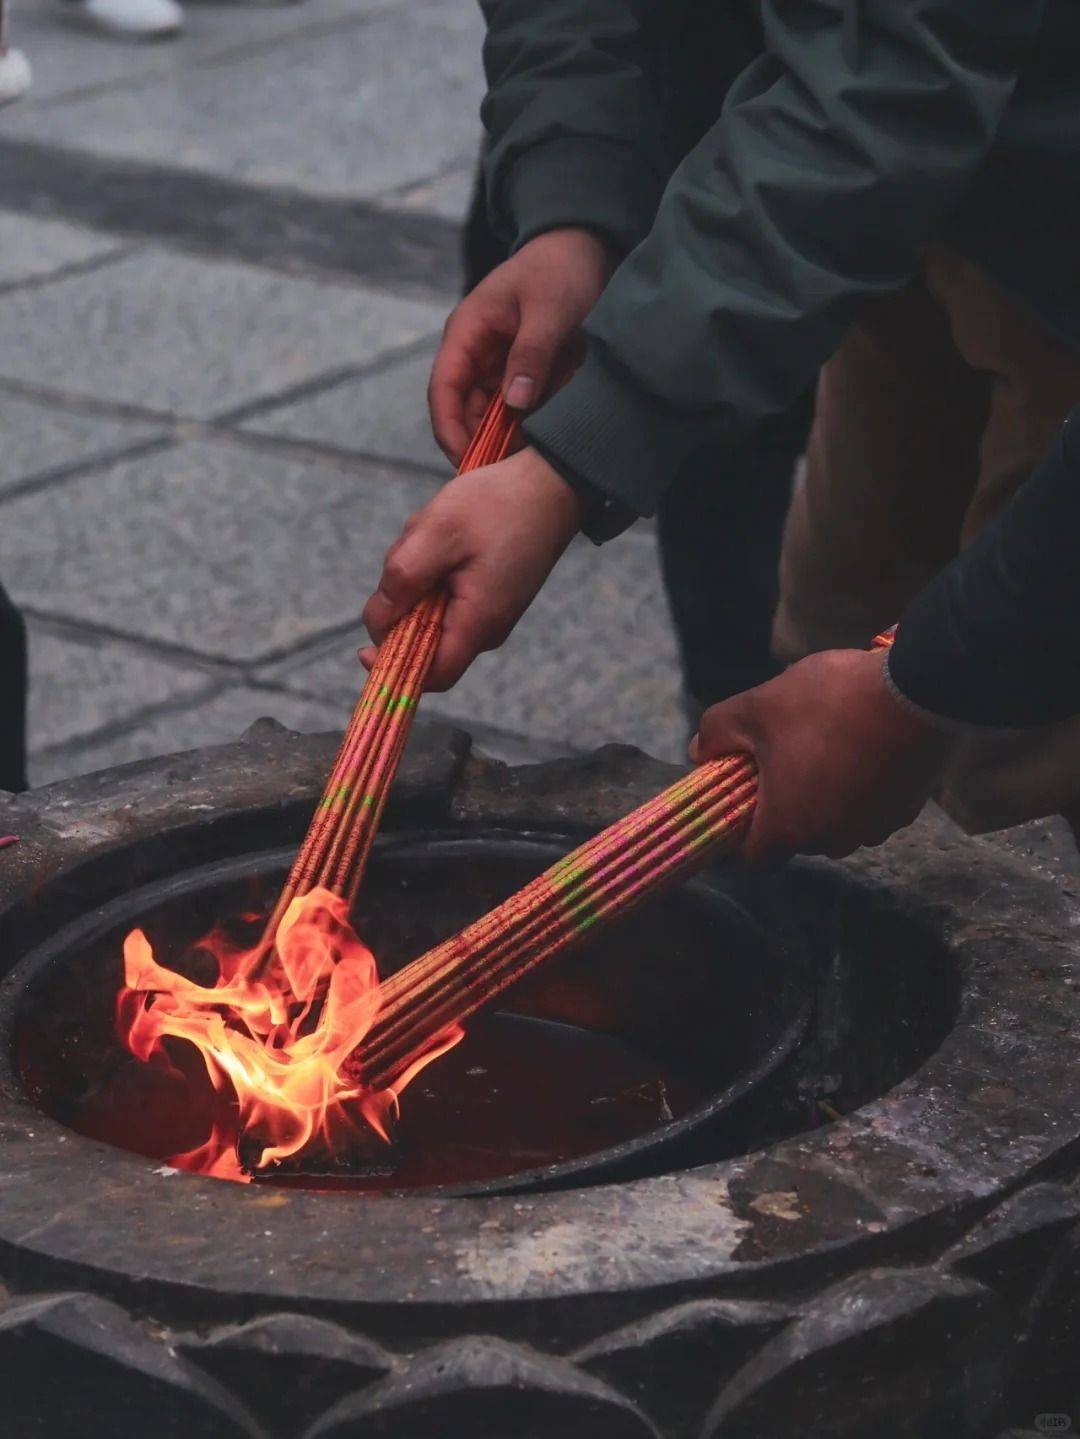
[{"x": 841, "y": 762}]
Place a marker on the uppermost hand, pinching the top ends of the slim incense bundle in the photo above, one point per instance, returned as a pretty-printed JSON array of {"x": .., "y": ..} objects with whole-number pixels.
[{"x": 518, "y": 330}]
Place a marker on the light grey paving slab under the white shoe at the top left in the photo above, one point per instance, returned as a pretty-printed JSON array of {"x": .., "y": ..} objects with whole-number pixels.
[{"x": 68, "y": 58}]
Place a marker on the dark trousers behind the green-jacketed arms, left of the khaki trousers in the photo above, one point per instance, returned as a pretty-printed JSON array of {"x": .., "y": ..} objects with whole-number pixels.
[{"x": 721, "y": 527}]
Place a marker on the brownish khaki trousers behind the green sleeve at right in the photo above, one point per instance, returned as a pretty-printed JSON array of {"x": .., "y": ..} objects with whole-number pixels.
[{"x": 938, "y": 405}]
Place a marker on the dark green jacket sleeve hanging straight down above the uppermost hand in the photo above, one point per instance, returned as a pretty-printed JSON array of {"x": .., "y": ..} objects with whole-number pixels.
[{"x": 575, "y": 126}]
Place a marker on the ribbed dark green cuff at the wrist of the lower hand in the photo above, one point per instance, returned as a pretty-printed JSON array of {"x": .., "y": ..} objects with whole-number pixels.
[{"x": 606, "y": 430}]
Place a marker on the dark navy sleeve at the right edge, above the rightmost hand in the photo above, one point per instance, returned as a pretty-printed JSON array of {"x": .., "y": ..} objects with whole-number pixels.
[{"x": 996, "y": 638}]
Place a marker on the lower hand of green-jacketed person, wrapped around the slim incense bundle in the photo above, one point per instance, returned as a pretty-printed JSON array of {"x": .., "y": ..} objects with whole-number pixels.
[{"x": 491, "y": 536}]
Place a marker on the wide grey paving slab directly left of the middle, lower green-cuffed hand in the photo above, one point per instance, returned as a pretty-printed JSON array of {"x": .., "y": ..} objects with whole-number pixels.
[{"x": 225, "y": 552}]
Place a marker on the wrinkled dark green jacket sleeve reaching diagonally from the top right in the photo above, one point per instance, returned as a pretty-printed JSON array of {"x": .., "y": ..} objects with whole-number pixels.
[{"x": 838, "y": 156}]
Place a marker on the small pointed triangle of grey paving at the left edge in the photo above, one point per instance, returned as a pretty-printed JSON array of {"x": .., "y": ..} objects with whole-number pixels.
[{"x": 37, "y": 440}]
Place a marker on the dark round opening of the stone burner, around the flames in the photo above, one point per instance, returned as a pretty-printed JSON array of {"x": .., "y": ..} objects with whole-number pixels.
[{"x": 688, "y": 1034}]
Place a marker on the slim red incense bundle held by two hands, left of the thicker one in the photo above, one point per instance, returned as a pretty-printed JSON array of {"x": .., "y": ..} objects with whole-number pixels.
[{"x": 339, "y": 843}]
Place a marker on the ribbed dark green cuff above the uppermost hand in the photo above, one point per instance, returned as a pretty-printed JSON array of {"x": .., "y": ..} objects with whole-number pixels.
[{"x": 593, "y": 185}]
